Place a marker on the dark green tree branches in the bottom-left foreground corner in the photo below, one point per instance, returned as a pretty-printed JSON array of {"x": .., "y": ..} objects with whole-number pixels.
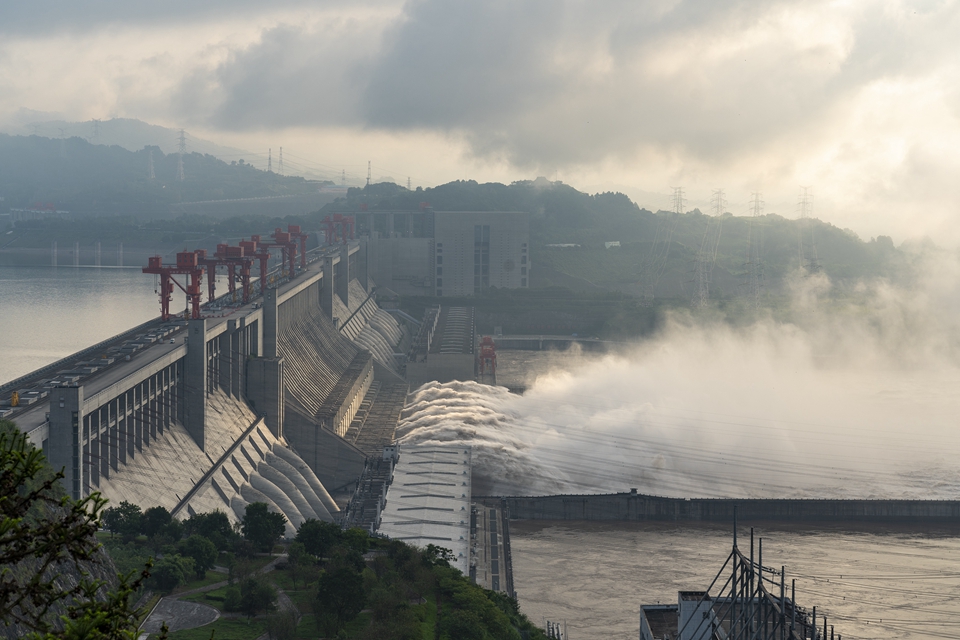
[{"x": 43, "y": 537}]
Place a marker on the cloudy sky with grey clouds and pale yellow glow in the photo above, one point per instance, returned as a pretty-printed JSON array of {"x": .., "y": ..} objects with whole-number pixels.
[{"x": 858, "y": 101}]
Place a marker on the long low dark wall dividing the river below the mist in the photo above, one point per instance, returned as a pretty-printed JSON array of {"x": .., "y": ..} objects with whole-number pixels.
[{"x": 643, "y": 508}]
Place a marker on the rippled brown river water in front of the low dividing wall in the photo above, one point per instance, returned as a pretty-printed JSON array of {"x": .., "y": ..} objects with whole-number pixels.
[{"x": 870, "y": 585}]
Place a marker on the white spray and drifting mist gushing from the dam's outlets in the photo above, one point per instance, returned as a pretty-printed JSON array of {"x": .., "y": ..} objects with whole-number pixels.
[{"x": 849, "y": 400}]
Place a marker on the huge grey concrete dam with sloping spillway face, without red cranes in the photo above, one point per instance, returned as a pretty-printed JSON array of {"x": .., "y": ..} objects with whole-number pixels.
[{"x": 280, "y": 400}]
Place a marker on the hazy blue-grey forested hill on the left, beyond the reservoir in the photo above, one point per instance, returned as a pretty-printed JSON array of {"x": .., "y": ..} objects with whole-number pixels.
[{"x": 73, "y": 174}]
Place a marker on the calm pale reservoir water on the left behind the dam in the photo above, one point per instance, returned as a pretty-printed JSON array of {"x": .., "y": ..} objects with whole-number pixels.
[{"x": 47, "y": 313}]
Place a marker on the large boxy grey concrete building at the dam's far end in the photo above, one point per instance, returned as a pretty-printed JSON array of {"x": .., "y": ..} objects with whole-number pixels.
[{"x": 447, "y": 253}]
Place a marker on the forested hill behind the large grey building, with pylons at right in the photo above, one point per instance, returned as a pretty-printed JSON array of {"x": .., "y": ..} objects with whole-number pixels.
[{"x": 649, "y": 241}]
